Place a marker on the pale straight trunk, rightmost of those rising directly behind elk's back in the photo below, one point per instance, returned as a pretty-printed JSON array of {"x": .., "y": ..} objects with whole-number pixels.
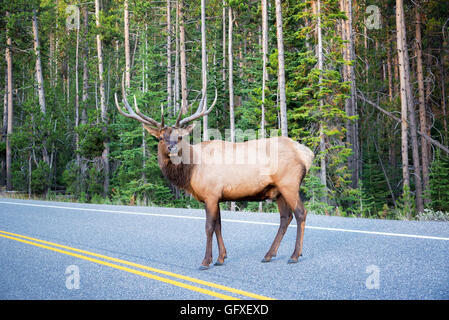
[{"x": 281, "y": 70}]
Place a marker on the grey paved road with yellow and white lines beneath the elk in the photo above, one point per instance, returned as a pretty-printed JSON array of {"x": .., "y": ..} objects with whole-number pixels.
[{"x": 52, "y": 250}]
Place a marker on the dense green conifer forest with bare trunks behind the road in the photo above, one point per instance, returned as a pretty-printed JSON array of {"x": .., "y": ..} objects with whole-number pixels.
[{"x": 362, "y": 83}]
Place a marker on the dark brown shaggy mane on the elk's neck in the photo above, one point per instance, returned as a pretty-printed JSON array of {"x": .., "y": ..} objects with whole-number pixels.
[{"x": 178, "y": 174}]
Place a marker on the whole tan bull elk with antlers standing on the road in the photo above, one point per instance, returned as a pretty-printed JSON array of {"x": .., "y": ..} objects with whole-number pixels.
[{"x": 277, "y": 174}]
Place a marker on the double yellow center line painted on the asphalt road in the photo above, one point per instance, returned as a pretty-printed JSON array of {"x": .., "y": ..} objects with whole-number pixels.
[{"x": 81, "y": 254}]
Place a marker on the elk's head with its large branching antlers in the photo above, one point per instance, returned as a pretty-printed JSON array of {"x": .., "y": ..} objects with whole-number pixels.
[{"x": 169, "y": 137}]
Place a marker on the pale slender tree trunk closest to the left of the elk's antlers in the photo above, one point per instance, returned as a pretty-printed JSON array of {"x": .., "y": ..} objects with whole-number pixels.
[{"x": 103, "y": 109}]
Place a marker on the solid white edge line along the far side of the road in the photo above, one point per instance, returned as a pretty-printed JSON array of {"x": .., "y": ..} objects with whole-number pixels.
[{"x": 229, "y": 220}]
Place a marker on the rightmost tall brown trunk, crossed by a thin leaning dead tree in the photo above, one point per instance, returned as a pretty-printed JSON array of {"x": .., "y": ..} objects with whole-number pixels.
[{"x": 422, "y": 103}]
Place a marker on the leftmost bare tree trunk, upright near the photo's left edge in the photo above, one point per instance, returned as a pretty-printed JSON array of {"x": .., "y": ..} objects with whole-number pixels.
[{"x": 8, "y": 57}]
